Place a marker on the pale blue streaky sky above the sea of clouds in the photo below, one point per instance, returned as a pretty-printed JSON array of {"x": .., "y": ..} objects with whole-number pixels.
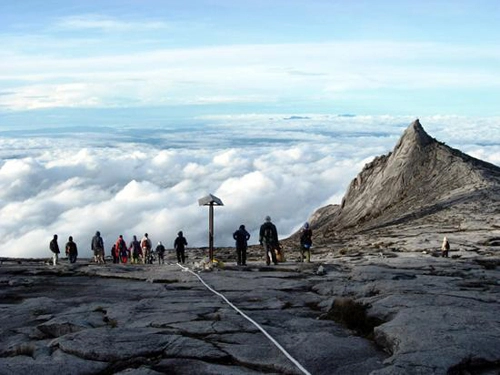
[{"x": 90, "y": 61}]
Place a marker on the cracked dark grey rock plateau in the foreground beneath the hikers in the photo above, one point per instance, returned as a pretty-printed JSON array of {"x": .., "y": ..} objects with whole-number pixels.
[{"x": 378, "y": 314}]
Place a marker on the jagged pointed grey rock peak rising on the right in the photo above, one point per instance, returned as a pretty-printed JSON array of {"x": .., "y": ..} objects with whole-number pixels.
[{"x": 420, "y": 178}]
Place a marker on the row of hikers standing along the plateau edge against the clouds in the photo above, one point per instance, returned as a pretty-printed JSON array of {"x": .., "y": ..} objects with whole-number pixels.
[{"x": 141, "y": 252}]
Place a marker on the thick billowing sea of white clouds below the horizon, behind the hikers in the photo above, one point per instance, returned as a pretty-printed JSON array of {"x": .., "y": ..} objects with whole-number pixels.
[{"x": 76, "y": 180}]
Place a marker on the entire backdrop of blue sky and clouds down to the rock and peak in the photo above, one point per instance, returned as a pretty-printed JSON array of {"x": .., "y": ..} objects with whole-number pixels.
[{"x": 119, "y": 115}]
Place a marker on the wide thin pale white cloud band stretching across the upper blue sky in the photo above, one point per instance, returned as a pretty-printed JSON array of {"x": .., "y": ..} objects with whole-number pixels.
[{"x": 240, "y": 73}]
